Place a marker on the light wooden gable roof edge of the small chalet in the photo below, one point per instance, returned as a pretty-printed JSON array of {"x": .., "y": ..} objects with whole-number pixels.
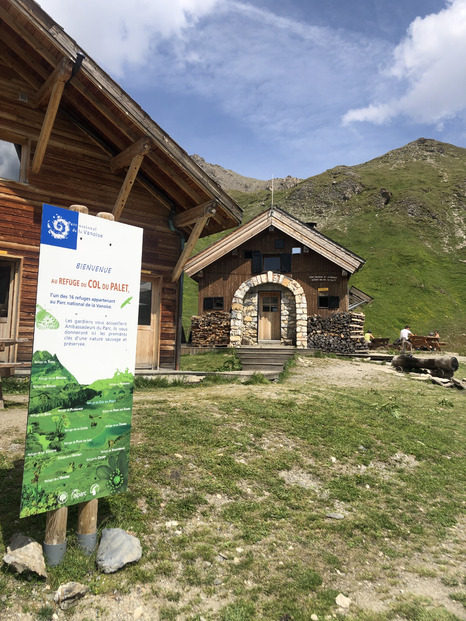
[{"x": 289, "y": 225}]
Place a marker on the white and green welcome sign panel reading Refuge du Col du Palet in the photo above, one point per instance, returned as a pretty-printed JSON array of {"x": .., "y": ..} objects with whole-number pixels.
[{"x": 82, "y": 372}]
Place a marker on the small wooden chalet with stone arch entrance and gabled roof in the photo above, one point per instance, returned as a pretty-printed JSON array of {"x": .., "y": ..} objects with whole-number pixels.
[{"x": 271, "y": 274}]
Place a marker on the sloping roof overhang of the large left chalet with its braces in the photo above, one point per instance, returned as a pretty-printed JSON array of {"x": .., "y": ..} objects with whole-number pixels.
[{"x": 64, "y": 80}]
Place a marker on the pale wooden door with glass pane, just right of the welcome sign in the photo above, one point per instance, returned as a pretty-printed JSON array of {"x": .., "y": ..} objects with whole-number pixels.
[{"x": 148, "y": 343}]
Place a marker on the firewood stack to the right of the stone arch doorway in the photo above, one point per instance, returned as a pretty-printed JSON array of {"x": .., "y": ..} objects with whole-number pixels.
[{"x": 340, "y": 333}]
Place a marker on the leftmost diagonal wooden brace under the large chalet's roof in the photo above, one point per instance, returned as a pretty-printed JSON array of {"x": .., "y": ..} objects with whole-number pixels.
[{"x": 53, "y": 90}]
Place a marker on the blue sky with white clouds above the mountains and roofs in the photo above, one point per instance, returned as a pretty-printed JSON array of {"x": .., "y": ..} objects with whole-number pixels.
[{"x": 269, "y": 88}]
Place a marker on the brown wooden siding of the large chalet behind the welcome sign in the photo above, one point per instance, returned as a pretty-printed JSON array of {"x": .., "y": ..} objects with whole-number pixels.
[{"x": 75, "y": 171}]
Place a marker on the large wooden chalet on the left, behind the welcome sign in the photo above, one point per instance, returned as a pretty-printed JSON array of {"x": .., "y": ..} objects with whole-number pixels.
[{"x": 70, "y": 135}]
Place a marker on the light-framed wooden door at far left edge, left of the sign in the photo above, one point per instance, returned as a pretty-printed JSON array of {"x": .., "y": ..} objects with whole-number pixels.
[{"x": 9, "y": 291}]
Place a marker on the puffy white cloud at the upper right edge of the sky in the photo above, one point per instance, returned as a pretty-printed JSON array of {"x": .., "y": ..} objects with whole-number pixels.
[{"x": 428, "y": 70}]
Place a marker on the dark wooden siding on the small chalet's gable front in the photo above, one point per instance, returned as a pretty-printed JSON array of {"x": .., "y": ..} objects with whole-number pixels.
[{"x": 223, "y": 277}]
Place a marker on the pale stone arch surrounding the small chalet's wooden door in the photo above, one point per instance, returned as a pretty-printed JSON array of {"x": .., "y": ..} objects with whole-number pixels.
[{"x": 244, "y": 310}]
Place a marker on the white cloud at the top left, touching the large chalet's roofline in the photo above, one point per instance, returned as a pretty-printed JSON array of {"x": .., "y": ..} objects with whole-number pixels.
[{"x": 118, "y": 33}]
